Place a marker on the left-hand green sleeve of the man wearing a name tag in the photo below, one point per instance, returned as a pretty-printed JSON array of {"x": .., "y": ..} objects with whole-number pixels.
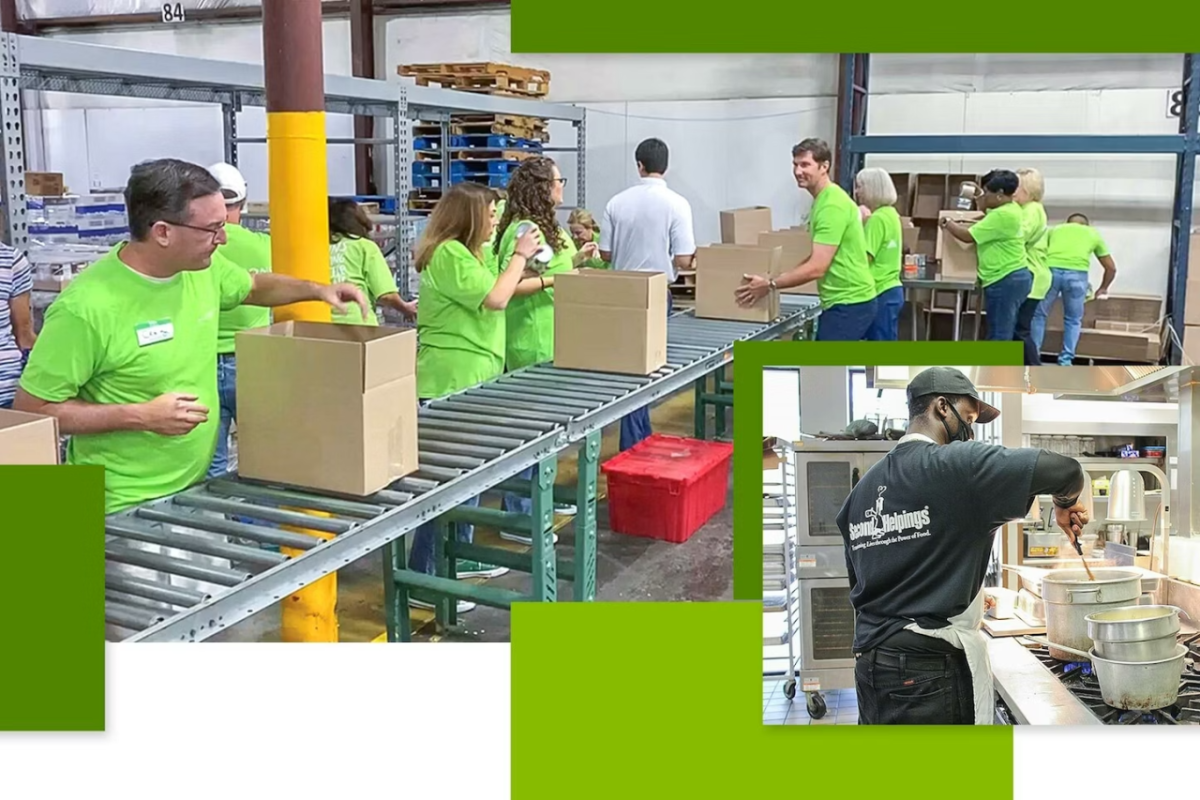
[{"x": 65, "y": 357}]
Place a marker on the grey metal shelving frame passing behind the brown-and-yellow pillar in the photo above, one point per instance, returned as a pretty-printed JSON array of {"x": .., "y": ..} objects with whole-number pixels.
[{"x": 32, "y": 63}]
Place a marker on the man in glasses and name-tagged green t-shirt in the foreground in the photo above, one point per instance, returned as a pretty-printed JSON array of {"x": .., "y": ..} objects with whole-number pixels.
[{"x": 128, "y": 357}]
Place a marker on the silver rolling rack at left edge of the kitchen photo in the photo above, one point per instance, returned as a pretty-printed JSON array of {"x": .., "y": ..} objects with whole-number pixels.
[{"x": 781, "y": 584}]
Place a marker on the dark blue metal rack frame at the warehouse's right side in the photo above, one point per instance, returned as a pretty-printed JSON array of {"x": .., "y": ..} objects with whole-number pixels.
[{"x": 855, "y": 145}]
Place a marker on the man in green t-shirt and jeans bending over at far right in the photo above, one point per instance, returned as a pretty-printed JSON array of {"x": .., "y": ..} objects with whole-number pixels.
[{"x": 1070, "y": 257}]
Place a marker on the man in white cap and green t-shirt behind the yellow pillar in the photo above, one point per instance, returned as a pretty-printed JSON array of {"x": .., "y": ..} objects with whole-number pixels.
[{"x": 253, "y": 252}]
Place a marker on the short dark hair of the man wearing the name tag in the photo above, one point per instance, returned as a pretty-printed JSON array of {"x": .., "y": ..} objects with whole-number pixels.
[{"x": 163, "y": 191}]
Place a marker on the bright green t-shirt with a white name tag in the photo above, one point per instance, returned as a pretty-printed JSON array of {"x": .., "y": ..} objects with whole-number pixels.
[{"x": 118, "y": 338}]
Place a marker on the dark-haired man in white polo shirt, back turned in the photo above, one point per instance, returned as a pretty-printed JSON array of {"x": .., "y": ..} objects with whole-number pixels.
[{"x": 647, "y": 228}]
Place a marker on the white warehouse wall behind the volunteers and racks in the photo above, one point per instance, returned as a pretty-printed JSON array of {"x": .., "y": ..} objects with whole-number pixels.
[{"x": 730, "y": 119}]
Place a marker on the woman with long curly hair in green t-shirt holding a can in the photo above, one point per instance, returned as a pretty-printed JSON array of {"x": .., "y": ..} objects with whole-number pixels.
[{"x": 535, "y": 194}]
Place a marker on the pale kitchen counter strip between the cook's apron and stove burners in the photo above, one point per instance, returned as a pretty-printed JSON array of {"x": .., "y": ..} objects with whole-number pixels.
[{"x": 1033, "y": 694}]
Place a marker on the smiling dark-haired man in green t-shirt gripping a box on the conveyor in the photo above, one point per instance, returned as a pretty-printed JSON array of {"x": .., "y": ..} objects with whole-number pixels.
[{"x": 838, "y": 263}]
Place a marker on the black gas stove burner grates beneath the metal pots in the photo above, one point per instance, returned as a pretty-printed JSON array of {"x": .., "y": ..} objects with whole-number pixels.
[{"x": 1079, "y": 678}]
